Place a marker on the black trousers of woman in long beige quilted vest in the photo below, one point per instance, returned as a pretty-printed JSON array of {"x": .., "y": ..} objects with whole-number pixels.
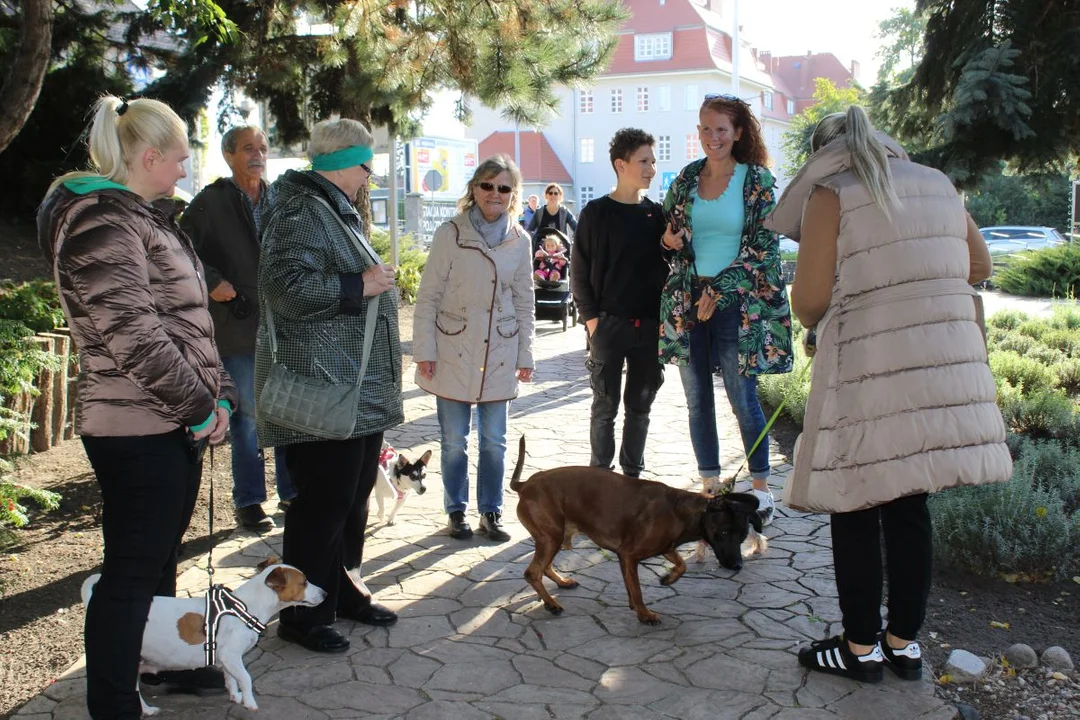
[{"x": 857, "y": 555}]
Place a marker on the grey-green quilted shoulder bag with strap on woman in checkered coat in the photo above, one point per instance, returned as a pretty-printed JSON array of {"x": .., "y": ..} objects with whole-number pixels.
[{"x": 309, "y": 405}]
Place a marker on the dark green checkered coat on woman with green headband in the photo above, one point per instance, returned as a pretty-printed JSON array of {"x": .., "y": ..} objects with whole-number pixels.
[{"x": 305, "y": 251}]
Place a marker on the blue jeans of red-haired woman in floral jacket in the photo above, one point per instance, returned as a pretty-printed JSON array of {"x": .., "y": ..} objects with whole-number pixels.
[{"x": 714, "y": 346}]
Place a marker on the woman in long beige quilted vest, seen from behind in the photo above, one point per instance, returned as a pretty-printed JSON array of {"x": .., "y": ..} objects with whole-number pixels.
[{"x": 902, "y": 401}]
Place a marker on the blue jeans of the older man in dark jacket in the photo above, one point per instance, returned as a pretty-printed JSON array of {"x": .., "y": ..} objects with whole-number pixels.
[{"x": 249, "y": 468}]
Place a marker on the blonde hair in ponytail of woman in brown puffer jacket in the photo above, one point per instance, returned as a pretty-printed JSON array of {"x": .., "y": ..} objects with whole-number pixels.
[{"x": 120, "y": 131}]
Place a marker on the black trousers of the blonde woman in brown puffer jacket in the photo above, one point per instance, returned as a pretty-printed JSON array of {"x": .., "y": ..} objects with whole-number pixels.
[{"x": 150, "y": 486}]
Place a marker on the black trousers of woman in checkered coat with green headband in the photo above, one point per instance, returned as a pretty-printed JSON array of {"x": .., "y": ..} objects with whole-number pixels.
[{"x": 325, "y": 525}]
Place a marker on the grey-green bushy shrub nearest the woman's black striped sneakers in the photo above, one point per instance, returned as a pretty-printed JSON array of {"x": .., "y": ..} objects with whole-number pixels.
[{"x": 1022, "y": 526}]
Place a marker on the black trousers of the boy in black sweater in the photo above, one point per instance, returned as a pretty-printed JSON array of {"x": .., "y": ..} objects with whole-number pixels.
[{"x": 617, "y": 343}]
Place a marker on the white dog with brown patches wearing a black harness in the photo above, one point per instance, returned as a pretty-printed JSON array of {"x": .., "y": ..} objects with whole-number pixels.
[{"x": 174, "y": 635}]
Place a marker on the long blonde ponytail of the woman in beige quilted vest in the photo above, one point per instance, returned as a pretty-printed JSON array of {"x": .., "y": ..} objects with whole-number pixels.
[{"x": 870, "y": 161}]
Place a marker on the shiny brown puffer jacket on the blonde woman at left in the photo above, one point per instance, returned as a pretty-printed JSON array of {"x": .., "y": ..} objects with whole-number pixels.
[{"x": 132, "y": 289}]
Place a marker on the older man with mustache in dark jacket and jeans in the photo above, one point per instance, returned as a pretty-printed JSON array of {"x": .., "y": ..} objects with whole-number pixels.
[{"x": 224, "y": 222}]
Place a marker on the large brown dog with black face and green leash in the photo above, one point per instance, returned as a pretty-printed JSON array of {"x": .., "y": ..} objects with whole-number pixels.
[{"x": 637, "y": 520}]
